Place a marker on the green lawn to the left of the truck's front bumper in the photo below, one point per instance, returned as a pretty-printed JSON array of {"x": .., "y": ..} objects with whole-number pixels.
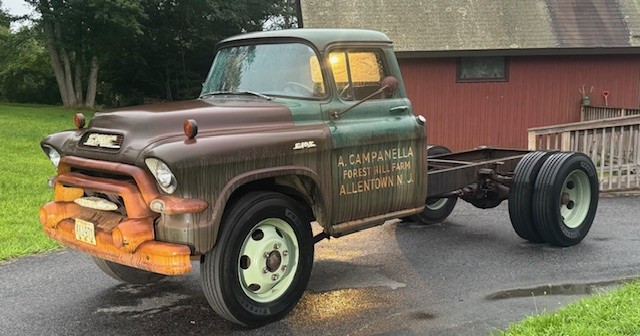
[{"x": 24, "y": 174}]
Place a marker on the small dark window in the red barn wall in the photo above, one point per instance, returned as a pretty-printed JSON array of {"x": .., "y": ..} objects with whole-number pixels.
[{"x": 482, "y": 69}]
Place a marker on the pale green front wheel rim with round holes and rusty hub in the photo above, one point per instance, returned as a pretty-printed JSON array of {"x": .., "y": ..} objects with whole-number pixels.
[{"x": 268, "y": 260}]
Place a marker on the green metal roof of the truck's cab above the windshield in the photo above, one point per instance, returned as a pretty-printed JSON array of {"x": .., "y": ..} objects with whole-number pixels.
[{"x": 320, "y": 38}]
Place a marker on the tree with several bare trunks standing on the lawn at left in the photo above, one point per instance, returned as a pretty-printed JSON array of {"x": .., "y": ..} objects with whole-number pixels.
[{"x": 78, "y": 33}]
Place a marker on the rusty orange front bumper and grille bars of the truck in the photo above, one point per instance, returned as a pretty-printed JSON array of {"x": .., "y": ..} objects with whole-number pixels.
[{"x": 124, "y": 240}]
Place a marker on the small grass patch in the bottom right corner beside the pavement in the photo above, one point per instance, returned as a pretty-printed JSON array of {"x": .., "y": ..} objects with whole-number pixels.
[{"x": 611, "y": 314}]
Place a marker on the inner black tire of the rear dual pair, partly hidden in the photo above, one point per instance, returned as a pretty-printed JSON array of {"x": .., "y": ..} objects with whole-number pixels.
[{"x": 521, "y": 195}]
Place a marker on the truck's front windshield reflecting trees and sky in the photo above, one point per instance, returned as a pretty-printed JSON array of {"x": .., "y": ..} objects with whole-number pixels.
[{"x": 285, "y": 69}]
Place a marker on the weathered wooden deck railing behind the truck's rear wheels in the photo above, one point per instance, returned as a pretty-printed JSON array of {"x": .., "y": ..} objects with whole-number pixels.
[{"x": 613, "y": 144}]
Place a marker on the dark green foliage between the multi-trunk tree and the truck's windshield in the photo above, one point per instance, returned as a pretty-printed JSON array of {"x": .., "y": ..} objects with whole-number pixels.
[{"x": 172, "y": 56}]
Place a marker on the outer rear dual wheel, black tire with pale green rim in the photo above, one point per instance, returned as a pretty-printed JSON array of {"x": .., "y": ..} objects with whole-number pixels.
[{"x": 565, "y": 198}]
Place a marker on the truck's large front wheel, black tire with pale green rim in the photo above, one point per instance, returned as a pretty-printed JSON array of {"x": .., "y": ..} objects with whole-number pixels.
[{"x": 260, "y": 265}]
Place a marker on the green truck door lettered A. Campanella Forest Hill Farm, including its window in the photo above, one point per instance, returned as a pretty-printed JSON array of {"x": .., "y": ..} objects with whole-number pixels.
[{"x": 378, "y": 146}]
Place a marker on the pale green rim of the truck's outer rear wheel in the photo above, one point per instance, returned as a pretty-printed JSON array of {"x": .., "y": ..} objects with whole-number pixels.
[{"x": 575, "y": 199}]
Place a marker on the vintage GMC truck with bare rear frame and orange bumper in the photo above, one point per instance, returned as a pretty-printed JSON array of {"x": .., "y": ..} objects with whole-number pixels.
[{"x": 292, "y": 127}]
